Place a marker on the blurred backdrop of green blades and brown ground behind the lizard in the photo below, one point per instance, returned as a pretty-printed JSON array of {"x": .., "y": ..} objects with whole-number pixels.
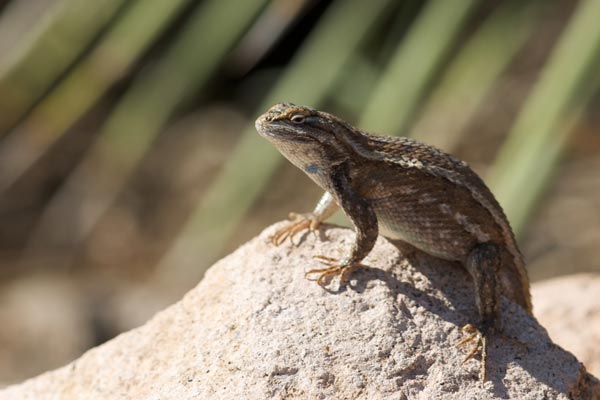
[{"x": 129, "y": 162}]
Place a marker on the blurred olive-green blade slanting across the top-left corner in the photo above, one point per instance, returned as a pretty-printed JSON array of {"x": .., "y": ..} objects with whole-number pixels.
[{"x": 47, "y": 51}]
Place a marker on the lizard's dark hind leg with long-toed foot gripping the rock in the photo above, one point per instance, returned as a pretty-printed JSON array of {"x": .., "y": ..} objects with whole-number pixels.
[{"x": 483, "y": 264}]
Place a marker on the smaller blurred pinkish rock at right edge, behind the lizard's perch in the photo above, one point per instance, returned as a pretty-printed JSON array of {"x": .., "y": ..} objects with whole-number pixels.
[{"x": 568, "y": 307}]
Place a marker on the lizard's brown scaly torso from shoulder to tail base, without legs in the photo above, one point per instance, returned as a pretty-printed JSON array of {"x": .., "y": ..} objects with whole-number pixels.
[{"x": 437, "y": 203}]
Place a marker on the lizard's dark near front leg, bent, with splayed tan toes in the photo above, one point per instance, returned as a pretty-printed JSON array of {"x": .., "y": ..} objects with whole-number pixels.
[{"x": 364, "y": 220}]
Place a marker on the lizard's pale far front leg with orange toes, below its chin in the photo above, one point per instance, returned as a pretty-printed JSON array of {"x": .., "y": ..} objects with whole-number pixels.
[{"x": 324, "y": 209}]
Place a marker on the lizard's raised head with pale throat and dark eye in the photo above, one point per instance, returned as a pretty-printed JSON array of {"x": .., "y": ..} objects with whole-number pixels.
[{"x": 302, "y": 134}]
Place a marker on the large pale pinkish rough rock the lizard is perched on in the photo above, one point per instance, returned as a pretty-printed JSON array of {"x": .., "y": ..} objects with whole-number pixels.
[{"x": 255, "y": 328}]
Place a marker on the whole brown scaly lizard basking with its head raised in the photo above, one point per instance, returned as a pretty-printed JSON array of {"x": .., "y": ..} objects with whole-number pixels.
[{"x": 407, "y": 191}]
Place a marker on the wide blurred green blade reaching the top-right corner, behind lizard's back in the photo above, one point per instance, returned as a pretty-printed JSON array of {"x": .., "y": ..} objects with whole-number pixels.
[{"x": 566, "y": 83}]
